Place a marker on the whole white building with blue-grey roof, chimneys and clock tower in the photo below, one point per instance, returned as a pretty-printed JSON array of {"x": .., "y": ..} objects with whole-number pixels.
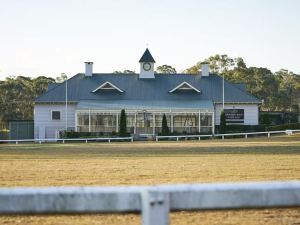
[{"x": 191, "y": 103}]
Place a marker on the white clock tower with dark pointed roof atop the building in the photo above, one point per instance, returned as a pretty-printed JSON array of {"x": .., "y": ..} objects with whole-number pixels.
[{"x": 147, "y": 65}]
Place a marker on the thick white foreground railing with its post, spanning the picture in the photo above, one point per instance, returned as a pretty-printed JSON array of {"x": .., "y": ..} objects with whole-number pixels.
[{"x": 154, "y": 202}]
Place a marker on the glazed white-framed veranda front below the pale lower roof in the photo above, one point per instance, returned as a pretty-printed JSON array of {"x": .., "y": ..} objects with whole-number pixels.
[{"x": 145, "y": 121}]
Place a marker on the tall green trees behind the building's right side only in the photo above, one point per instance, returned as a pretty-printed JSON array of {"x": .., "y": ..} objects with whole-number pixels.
[{"x": 279, "y": 91}]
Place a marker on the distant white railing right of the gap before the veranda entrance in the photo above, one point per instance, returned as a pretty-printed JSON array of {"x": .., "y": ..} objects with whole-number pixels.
[{"x": 268, "y": 133}]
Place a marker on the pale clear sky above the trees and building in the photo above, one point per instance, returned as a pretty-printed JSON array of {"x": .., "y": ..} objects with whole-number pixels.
[{"x": 39, "y": 37}]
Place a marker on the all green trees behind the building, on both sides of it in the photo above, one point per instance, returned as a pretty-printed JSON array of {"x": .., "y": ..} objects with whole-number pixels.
[{"x": 279, "y": 91}]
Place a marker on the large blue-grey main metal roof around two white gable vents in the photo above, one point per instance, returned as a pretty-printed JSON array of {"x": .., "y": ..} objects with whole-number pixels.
[{"x": 80, "y": 88}]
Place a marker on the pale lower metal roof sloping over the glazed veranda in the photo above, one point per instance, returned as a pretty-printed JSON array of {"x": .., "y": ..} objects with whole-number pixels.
[{"x": 148, "y": 104}]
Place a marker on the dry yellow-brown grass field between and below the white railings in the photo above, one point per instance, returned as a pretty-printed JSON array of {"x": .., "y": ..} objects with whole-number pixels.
[{"x": 148, "y": 163}]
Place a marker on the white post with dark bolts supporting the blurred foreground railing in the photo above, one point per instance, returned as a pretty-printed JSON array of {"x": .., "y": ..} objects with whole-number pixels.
[{"x": 155, "y": 208}]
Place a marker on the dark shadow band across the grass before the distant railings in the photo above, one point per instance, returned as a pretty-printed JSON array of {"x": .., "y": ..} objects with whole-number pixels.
[{"x": 149, "y": 151}]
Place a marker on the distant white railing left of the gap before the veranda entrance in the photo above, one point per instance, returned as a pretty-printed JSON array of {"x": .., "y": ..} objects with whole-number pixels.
[{"x": 64, "y": 140}]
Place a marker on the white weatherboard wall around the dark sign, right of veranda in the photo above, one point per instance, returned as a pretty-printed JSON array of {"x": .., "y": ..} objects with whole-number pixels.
[{"x": 250, "y": 112}]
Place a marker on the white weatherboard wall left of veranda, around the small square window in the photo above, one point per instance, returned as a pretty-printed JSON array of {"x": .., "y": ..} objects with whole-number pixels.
[{"x": 45, "y": 127}]
